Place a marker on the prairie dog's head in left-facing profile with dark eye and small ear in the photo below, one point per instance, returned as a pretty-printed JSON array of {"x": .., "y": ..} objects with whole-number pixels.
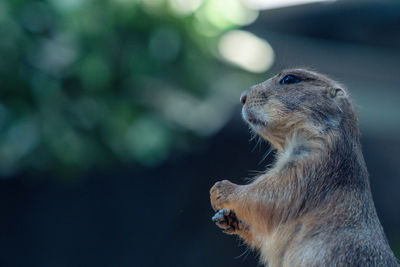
[{"x": 295, "y": 100}]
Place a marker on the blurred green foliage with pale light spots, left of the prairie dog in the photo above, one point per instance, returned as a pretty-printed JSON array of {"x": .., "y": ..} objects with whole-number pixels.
[{"x": 89, "y": 82}]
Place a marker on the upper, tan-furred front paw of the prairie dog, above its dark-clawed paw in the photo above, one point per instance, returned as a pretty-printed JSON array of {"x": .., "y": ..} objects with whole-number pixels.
[{"x": 221, "y": 193}]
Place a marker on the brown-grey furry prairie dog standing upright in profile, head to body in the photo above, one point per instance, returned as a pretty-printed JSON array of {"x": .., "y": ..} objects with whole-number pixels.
[{"x": 314, "y": 206}]
